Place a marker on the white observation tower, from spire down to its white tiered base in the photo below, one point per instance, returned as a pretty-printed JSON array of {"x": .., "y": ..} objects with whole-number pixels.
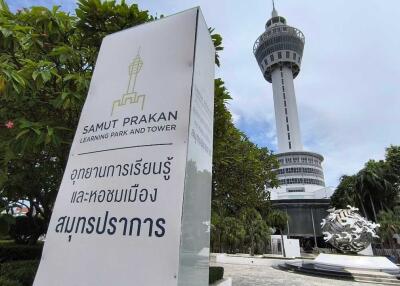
[{"x": 279, "y": 52}]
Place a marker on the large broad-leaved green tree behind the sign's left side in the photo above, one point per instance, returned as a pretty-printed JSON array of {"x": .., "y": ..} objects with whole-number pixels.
[{"x": 46, "y": 62}]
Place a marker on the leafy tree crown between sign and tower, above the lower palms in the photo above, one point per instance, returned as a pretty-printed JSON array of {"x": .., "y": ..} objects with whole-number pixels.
[{"x": 241, "y": 170}]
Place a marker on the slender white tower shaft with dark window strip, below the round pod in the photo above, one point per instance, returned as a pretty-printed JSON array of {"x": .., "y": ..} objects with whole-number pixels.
[{"x": 286, "y": 116}]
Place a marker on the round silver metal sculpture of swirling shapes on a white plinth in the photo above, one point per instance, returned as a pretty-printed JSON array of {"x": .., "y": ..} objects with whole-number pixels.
[{"x": 347, "y": 230}]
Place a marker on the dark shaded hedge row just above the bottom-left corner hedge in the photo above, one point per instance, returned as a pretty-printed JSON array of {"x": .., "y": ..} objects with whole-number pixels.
[{"x": 11, "y": 252}]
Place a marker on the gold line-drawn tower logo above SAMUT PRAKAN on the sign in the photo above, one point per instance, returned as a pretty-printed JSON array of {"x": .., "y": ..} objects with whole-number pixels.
[{"x": 131, "y": 96}]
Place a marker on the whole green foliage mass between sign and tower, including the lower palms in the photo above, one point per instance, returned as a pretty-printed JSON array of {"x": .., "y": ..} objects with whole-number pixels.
[{"x": 241, "y": 171}]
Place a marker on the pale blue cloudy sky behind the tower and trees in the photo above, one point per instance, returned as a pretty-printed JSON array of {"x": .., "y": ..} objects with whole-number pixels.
[{"x": 348, "y": 90}]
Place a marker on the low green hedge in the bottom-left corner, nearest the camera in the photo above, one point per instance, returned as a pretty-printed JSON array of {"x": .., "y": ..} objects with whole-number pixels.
[{"x": 18, "y": 273}]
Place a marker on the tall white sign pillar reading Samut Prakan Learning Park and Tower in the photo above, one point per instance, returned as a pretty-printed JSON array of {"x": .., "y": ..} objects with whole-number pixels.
[{"x": 134, "y": 203}]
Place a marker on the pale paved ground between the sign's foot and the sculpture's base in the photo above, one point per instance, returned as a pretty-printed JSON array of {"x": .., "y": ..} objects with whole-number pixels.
[{"x": 256, "y": 275}]
